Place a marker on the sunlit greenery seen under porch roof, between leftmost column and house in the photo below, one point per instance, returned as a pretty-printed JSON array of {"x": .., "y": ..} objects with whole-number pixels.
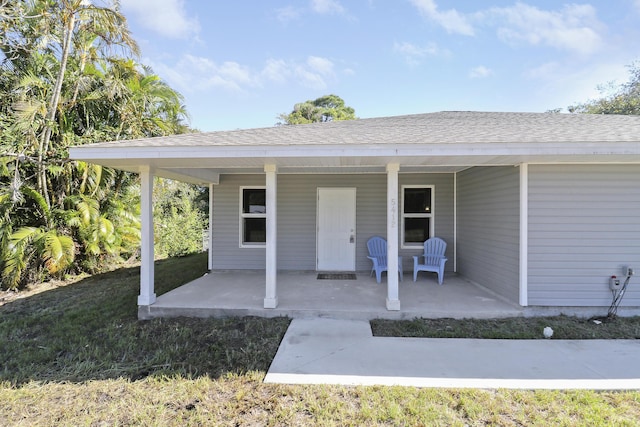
[{"x": 177, "y": 220}]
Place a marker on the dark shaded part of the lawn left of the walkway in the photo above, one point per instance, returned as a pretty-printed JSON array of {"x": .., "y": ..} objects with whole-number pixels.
[{"x": 89, "y": 330}]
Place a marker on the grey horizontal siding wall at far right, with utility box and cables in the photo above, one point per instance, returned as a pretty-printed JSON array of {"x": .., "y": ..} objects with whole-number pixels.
[{"x": 584, "y": 226}]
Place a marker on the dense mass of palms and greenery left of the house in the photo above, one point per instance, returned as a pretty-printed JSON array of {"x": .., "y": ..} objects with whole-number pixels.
[{"x": 68, "y": 77}]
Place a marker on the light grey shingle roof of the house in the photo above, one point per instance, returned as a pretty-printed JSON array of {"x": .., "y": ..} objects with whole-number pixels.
[{"x": 447, "y": 127}]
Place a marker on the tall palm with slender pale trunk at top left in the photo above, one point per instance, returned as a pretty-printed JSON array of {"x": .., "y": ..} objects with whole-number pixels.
[{"x": 64, "y": 28}]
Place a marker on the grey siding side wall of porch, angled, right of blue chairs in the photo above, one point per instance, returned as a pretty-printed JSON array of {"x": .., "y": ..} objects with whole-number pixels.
[{"x": 489, "y": 228}]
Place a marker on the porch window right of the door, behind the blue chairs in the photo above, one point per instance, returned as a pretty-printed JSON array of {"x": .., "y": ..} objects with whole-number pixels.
[{"x": 417, "y": 215}]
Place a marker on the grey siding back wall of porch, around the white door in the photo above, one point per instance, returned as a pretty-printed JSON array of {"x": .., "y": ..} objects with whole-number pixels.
[{"x": 297, "y": 204}]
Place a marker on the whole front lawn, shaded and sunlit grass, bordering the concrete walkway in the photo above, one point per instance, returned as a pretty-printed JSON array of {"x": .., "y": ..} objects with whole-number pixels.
[{"x": 76, "y": 354}]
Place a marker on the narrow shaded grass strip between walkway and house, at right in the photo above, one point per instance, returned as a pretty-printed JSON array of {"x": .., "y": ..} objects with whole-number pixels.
[{"x": 564, "y": 327}]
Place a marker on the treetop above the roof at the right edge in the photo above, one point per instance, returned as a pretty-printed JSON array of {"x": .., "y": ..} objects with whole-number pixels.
[{"x": 623, "y": 99}]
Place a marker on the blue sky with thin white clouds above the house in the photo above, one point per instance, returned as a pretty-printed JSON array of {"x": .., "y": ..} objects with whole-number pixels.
[{"x": 241, "y": 63}]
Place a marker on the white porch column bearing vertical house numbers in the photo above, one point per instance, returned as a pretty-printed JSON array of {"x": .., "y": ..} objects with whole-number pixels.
[{"x": 393, "y": 302}]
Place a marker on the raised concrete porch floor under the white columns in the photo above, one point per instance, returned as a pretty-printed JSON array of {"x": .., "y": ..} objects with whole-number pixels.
[{"x": 302, "y": 295}]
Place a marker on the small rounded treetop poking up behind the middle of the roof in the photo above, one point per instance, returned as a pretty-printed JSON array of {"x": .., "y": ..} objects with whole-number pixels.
[{"x": 324, "y": 109}]
